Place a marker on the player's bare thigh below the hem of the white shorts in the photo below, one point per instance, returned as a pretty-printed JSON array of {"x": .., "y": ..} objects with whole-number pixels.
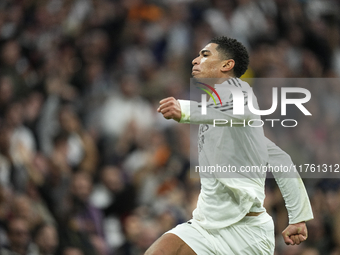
[{"x": 169, "y": 244}]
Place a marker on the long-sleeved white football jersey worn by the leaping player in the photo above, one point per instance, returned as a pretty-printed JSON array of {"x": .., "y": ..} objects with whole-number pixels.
[{"x": 227, "y": 196}]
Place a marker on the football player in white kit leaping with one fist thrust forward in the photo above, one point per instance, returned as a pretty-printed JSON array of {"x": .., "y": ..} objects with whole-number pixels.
[{"x": 230, "y": 217}]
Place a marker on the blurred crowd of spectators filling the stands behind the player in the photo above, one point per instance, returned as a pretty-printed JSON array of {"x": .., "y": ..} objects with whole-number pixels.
[{"x": 88, "y": 166}]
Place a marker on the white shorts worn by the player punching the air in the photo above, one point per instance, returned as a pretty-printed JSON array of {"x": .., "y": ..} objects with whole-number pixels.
[{"x": 252, "y": 235}]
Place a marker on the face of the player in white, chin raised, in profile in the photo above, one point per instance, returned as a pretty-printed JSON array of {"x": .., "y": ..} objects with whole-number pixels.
[{"x": 208, "y": 63}]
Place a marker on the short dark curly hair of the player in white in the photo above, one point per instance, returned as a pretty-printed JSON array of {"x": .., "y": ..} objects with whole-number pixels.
[{"x": 230, "y": 48}]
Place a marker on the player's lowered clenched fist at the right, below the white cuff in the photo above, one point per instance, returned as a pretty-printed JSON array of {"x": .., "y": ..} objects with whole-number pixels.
[{"x": 295, "y": 233}]
